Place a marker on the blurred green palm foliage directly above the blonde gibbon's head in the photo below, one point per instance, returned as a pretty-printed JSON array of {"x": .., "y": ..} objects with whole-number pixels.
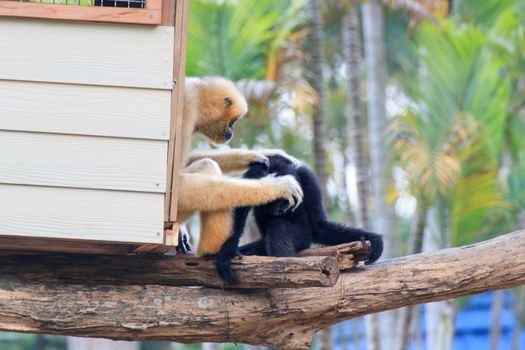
[{"x": 233, "y": 39}]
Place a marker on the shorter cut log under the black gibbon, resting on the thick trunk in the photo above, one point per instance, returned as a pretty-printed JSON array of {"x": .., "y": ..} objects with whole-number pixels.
[{"x": 253, "y": 271}]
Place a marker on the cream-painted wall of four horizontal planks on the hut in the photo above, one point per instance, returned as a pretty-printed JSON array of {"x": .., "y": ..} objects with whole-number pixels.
[{"x": 84, "y": 129}]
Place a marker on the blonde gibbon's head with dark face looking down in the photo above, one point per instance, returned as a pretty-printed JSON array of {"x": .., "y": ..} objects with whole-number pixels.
[{"x": 220, "y": 106}]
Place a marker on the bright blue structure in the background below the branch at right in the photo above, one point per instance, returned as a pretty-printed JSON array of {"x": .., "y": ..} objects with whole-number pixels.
[{"x": 472, "y": 328}]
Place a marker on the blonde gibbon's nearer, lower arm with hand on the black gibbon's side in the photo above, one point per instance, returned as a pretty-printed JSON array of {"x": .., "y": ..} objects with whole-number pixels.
[{"x": 203, "y": 192}]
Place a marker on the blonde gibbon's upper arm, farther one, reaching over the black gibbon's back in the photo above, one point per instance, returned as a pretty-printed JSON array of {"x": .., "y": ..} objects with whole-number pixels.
[{"x": 229, "y": 160}]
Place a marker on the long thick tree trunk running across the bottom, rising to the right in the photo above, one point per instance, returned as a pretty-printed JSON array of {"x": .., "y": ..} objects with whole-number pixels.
[{"x": 284, "y": 318}]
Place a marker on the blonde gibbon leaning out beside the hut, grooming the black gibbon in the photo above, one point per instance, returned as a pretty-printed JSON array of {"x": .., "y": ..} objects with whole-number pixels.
[{"x": 212, "y": 105}]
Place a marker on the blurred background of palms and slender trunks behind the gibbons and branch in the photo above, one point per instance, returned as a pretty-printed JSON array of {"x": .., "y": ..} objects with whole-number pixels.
[{"x": 412, "y": 112}]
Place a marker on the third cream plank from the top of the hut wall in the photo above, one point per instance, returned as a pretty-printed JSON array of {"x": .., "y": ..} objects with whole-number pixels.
[{"x": 82, "y": 161}]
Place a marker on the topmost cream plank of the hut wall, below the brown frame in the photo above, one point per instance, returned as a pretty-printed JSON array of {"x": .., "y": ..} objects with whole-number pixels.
[{"x": 86, "y": 53}]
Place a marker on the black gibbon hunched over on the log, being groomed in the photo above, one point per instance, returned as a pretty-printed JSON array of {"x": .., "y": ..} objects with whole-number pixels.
[{"x": 285, "y": 233}]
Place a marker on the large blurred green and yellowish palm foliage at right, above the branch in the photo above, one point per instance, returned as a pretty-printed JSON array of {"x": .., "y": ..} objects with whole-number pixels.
[{"x": 451, "y": 142}]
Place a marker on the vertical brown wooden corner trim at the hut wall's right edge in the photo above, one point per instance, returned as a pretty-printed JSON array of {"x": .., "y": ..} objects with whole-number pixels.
[{"x": 175, "y": 143}]
